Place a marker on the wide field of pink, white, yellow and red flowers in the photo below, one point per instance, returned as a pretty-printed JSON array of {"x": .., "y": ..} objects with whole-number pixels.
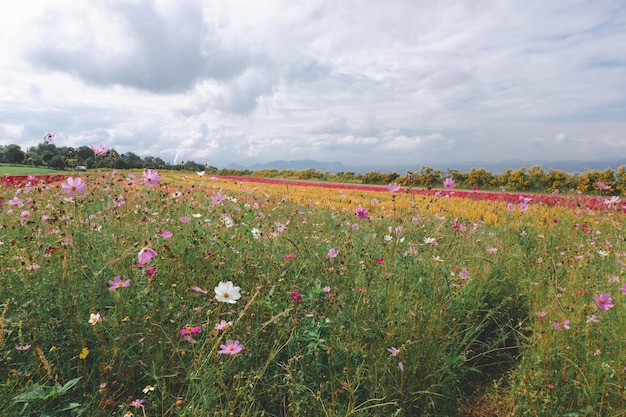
[{"x": 161, "y": 294}]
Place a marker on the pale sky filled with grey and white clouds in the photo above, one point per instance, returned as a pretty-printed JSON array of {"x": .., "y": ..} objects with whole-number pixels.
[{"x": 356, "y": 81}]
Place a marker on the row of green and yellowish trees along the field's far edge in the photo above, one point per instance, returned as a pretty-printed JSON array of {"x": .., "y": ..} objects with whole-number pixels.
[{"x": 535, "y": 178}]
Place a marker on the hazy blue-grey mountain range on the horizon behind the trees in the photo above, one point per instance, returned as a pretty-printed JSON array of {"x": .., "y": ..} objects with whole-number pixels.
[{"x": 569, "y": 166}]
